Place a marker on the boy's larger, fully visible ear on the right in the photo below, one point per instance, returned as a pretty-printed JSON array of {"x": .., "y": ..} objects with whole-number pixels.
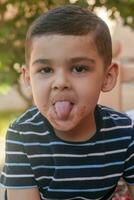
[{"x": 110, "y": 79}]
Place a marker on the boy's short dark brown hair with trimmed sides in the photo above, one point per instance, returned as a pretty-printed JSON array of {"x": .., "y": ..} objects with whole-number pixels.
[{"x": 72, "y": 20}]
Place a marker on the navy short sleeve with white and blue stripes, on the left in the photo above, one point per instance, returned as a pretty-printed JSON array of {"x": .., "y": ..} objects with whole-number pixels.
[{"x": 17, "y": 171}]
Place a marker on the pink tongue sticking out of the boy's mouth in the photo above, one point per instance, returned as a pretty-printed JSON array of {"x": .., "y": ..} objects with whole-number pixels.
[{"x": 63, "y": 109}]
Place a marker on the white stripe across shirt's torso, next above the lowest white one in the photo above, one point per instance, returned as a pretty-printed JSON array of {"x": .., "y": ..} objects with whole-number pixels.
[{"x": 75, "y": 155}]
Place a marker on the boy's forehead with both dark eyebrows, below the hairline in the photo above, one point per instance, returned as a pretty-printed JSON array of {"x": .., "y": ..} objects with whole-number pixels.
[{"x": 63, "y": 49}]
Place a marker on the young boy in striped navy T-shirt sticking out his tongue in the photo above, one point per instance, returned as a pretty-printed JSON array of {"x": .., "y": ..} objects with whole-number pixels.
[{"x": 67, "y": 146}]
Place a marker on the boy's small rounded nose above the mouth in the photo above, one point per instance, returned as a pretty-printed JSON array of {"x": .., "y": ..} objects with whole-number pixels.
[{"x": 61, "y": 82}]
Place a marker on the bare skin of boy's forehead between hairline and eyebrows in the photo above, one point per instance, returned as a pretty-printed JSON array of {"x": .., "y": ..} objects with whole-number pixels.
[{"x": 46, "y": 42}]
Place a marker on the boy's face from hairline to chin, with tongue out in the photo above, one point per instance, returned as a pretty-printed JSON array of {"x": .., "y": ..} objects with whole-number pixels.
[{"x": 66, "y": 74}]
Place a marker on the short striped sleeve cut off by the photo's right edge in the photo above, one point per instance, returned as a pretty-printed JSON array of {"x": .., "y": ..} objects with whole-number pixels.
[{"x": 129, "y": 163}]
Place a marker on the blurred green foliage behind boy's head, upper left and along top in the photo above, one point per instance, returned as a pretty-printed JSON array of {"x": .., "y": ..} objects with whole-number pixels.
[{"x": 17, "y": 15}]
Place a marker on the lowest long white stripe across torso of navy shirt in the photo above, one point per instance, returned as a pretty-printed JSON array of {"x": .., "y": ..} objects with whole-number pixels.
[{"x": 80, "y": 178}]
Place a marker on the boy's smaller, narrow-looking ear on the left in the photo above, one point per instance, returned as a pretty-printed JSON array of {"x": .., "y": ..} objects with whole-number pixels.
[{"x": 25, "y": 75}]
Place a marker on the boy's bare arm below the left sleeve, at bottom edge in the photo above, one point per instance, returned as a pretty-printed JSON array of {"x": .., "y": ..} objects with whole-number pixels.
[{"x": 23, "y": 194}]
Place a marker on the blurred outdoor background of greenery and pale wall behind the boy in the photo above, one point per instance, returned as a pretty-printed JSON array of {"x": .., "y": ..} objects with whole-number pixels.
[{"x": 15, "y": 18}]
